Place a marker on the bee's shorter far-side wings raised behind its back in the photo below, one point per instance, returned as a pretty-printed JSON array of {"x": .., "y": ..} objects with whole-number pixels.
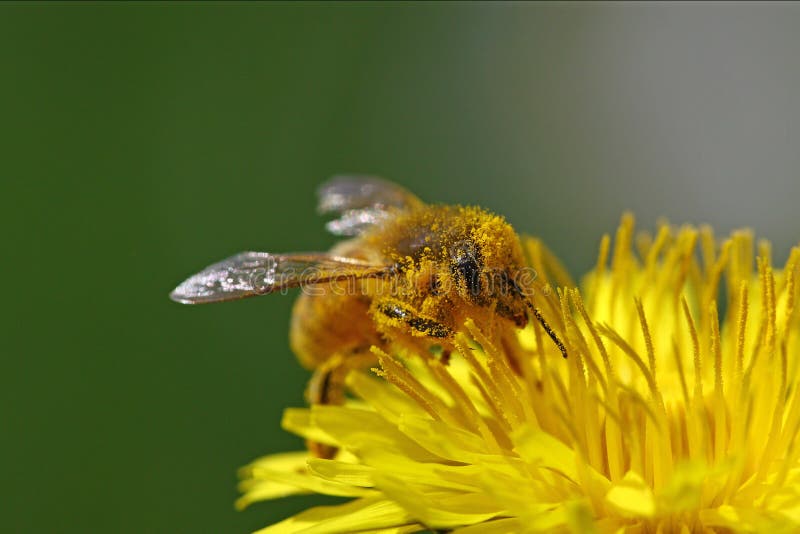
[{"x": 361, "y": 202}]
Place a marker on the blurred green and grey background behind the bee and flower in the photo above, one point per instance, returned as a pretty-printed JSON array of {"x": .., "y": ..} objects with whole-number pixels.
[{"x": 140, "y": 142}]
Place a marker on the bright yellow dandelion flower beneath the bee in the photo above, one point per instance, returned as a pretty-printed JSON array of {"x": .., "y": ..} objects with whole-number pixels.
[{"x": 677, "y": 410}]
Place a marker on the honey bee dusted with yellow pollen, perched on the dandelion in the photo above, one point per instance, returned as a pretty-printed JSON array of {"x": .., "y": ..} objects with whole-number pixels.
[{"x": 410, "y": 275}]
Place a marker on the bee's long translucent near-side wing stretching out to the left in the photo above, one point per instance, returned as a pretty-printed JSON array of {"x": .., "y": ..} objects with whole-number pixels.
[{"x": 249, "y": 274}]
